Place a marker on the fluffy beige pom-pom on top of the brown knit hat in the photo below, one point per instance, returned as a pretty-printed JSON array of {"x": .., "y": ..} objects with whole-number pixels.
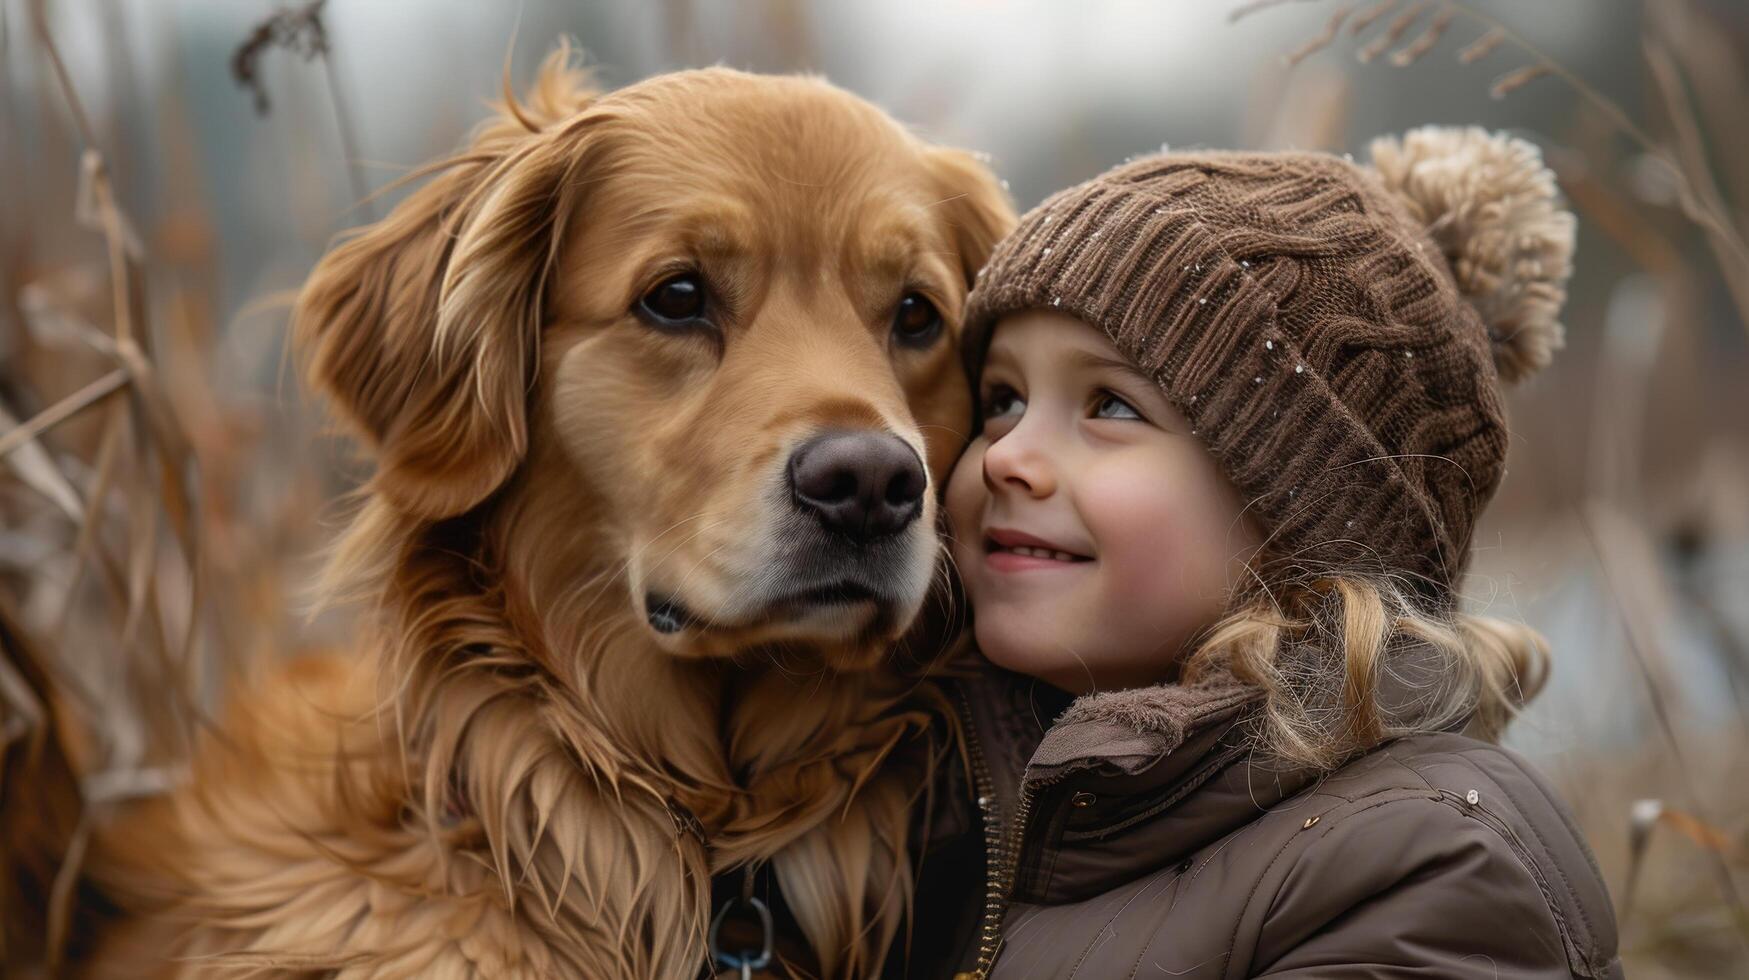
[{"x": 1495, "y": 211}]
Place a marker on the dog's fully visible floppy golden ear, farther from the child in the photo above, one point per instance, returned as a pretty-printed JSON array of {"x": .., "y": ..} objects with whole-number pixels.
[{"x": 422, "y": 328}]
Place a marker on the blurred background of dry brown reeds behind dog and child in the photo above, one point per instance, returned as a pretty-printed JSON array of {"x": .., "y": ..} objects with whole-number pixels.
[{"x": 171, "y": 171}]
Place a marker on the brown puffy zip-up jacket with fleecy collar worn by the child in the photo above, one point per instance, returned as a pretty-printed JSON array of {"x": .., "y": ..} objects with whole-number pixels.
[{"x": 1155, "y": 844}]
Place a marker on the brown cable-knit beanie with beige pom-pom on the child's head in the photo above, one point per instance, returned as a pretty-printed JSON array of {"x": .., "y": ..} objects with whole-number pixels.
[{"x": 1335, "y": 333}]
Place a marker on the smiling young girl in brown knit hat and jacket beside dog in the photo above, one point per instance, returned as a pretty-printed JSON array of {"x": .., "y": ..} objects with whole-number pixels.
[{"x": 1239, "y": 417}]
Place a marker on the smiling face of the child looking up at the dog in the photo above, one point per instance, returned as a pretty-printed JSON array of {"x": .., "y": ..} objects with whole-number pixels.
[{"x": 1092, "y": 529}]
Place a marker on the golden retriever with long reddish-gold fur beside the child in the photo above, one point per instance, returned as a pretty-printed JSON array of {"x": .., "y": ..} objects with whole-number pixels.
[{"x": 658, "y": 386}]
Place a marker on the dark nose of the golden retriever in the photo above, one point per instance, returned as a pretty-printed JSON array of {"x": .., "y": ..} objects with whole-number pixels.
[{"x": 865, "y": 486}]
